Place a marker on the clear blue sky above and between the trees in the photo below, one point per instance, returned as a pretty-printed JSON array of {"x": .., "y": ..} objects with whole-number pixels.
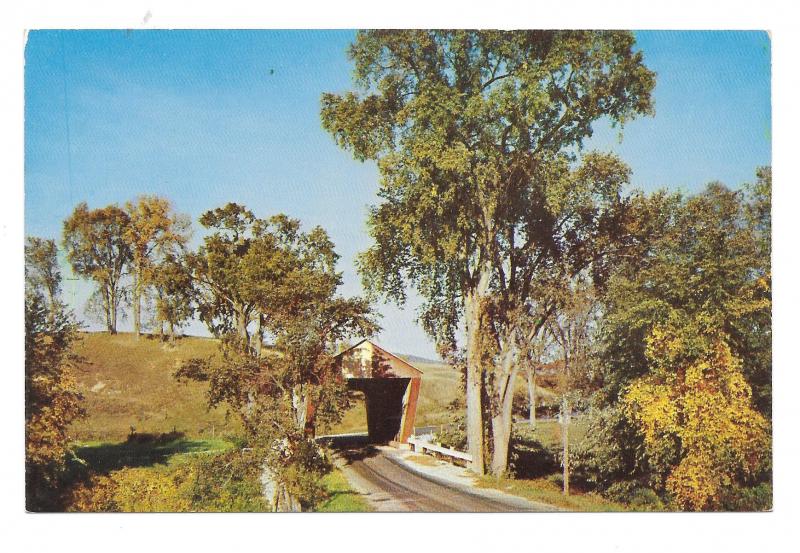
[{"x": 207, "y": 117}]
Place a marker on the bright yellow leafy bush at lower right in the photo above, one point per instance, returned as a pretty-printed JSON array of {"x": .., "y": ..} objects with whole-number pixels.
[{"x": 703, "y": 403}]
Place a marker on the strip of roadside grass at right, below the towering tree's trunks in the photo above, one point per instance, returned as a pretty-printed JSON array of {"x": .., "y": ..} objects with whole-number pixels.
[{"x": 545, "y": 490}]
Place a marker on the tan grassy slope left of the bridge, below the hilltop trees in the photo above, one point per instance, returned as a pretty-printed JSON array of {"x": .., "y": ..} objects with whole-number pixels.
[{"x": 128, "y": 383}]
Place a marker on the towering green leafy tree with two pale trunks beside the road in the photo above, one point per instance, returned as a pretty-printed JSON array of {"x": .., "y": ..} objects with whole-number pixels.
[{"x": 476, "y": 135}]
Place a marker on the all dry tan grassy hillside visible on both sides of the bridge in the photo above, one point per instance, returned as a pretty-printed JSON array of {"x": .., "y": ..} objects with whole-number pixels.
[{"x": 128, "y": 383}]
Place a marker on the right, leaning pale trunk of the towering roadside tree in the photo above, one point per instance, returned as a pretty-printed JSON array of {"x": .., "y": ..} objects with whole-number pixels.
[{"x": 502, "y": 420}]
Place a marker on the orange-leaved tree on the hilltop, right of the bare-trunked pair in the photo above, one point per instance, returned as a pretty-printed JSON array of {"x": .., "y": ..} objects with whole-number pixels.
[{"x": 153, "y": 231}]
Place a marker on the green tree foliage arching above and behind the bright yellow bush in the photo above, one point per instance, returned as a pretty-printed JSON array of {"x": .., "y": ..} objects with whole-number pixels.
[{"x": 701, "y": 255}]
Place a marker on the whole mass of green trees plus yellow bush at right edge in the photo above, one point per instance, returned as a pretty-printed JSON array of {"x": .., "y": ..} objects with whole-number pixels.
[{"x": 701, "y": 288}]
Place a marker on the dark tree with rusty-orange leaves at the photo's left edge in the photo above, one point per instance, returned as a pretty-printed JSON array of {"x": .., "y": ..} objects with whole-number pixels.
[{"x": 52, "y": 400}]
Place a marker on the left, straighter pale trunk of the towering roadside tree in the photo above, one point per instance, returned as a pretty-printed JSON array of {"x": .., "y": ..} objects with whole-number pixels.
[{"x": 474, "y": 385}]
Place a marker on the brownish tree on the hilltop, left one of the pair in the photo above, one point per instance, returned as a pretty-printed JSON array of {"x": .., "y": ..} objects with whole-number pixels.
[{"x": 97, "y": 249}]
